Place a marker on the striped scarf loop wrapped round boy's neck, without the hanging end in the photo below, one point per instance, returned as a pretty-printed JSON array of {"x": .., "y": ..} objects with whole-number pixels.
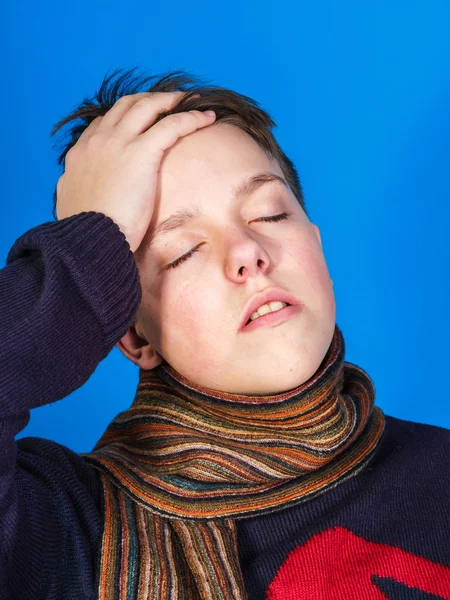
[{"x": 206, "y": 453}]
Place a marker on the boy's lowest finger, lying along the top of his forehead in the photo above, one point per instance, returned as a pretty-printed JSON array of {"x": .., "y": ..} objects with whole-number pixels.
[{"x": 166, "y": 132}]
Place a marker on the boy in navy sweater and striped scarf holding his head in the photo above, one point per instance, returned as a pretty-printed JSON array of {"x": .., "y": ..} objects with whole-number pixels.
[{"x": 252, "y": 462}]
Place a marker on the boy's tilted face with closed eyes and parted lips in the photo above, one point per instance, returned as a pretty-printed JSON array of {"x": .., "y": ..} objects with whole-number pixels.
[{"x": 190, "y": 315}]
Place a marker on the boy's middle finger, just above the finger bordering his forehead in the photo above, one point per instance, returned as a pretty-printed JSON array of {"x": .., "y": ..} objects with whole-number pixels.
[{"x": 143, "y": 113}]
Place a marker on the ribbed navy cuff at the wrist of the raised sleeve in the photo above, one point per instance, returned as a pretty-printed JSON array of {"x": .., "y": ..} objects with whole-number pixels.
[{"x": 99, "y": 260}]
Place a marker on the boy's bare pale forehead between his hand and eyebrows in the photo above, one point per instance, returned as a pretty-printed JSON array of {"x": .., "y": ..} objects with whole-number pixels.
[{"x": 202, "y": 173}]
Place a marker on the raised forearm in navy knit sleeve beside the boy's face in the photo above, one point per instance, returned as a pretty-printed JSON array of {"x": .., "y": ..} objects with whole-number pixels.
[{"x": 68, "y": 293}]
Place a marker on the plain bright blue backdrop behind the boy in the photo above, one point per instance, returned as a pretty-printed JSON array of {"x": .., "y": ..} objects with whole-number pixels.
[{"x": 361, "y": 96}]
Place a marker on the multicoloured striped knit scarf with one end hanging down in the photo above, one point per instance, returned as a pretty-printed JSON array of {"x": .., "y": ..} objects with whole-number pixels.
[{"x": 184, "y": 462}]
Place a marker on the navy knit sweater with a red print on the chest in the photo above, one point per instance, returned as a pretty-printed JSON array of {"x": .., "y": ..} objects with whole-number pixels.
[{"x": 68, "y": 293}]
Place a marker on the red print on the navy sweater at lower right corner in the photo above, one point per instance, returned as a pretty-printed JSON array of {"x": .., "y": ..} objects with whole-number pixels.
[{"x": 340, "y": 565}]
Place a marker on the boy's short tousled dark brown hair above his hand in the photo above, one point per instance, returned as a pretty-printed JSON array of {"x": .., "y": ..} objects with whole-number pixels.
[{"x": 230, "y": 107}]
